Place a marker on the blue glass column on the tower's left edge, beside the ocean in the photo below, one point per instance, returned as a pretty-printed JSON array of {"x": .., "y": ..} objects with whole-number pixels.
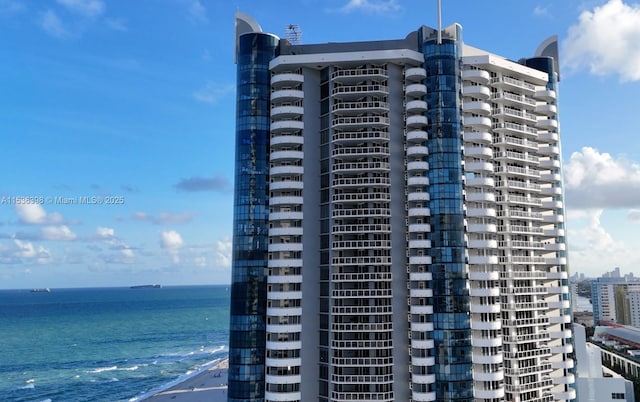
[{"x": 251, "y": 219}]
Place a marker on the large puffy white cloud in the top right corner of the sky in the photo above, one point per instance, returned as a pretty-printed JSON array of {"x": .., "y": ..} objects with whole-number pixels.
[{"x": 607, "y": 40}]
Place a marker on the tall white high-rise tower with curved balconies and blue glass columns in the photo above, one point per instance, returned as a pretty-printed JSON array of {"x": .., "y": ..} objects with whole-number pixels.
[{"x": 398, "y": 228}]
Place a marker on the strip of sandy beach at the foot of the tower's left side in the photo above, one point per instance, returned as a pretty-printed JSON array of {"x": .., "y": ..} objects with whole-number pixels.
[{"x": 209, "y": 385}]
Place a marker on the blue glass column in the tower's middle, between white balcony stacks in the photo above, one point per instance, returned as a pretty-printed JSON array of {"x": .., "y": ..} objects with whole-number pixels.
[{"x": 451, "y": 319}]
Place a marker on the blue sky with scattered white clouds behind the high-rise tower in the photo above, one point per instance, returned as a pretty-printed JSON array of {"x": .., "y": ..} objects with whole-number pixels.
[{"x": 132, "y": 103}]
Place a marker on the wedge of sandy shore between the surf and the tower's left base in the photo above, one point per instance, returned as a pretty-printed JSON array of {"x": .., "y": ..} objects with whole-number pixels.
[{"x": 207, "y": 383}]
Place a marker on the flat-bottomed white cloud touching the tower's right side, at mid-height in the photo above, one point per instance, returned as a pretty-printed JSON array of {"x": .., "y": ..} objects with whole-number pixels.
[{"x": 597, "y": 180}]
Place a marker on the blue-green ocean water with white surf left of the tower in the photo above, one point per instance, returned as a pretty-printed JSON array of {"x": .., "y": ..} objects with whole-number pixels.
[{"x": 107, "y": 344}]
